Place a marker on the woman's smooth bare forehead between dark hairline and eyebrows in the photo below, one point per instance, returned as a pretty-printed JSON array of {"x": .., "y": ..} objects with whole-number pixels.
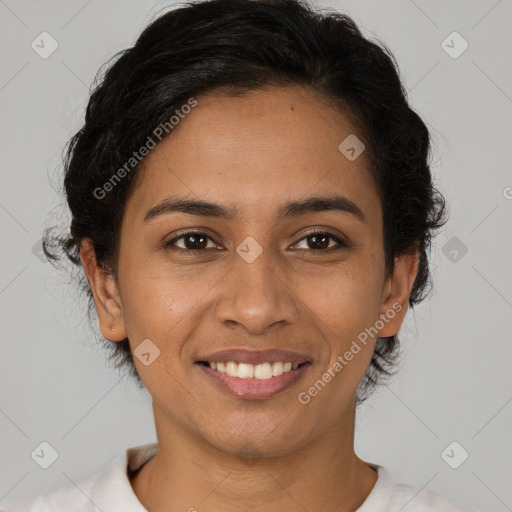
[{"x": 256, "y": 151}]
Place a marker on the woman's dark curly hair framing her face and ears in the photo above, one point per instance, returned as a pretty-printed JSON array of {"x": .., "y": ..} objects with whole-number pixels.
[{"x": 242, "y": 45}]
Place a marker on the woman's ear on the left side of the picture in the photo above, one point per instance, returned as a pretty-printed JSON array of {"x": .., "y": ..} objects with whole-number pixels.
[{"x": 106, "y": 295}]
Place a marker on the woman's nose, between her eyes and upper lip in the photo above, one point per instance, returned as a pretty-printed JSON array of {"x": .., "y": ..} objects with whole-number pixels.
[{"x": 256, "y": 296}]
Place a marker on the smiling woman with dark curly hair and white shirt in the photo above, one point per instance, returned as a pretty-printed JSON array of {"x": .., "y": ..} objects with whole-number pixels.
[{"x": 252, "y": 207}]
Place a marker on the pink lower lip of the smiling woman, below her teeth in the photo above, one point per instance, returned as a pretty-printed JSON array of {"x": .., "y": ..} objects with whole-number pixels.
[{"x": 254, "y": 388}]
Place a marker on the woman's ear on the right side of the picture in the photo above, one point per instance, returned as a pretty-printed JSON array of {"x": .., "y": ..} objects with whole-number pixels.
[{"x": 396, "y": 293}]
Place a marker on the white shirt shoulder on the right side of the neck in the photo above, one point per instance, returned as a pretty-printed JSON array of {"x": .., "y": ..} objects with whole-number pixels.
[{"x": 389, "y": 496}]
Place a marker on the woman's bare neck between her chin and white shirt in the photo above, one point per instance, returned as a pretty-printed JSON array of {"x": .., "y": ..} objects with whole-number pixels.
[{"x": 187, "y": 473}]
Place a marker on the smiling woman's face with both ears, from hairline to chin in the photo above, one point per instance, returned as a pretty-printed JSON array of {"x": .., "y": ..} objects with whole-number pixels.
[{"x": 248, "y": 274}]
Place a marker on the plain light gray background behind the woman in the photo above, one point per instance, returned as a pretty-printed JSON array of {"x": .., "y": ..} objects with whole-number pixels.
[{"x": 455, "y": 382}]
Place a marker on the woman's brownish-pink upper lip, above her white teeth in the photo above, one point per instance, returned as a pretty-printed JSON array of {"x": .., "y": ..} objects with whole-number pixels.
[{"x": 244, "y": 355}]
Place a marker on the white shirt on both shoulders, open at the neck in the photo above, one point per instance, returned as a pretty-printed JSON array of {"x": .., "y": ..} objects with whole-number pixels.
[{"x": 111, "y": 491}]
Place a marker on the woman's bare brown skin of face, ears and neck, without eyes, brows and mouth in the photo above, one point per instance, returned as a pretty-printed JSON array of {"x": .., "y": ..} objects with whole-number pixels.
[{"x": 254, "y": 152}]
